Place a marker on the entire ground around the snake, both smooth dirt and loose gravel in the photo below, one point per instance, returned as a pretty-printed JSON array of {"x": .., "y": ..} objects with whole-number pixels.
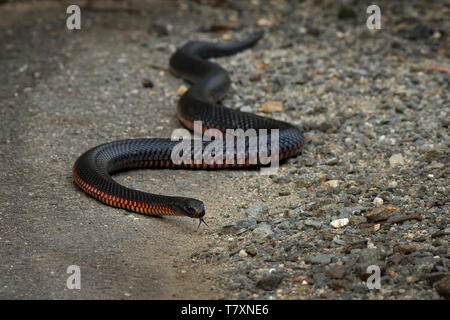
[{"x": 370, "y": 188}]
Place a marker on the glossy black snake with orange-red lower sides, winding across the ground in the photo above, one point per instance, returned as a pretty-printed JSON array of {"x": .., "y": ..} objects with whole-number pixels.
[{"x": 209, "y": 83}]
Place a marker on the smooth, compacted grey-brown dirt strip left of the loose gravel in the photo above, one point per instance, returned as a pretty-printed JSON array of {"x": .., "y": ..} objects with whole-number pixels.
[{"x": 61, "y": 93}]
